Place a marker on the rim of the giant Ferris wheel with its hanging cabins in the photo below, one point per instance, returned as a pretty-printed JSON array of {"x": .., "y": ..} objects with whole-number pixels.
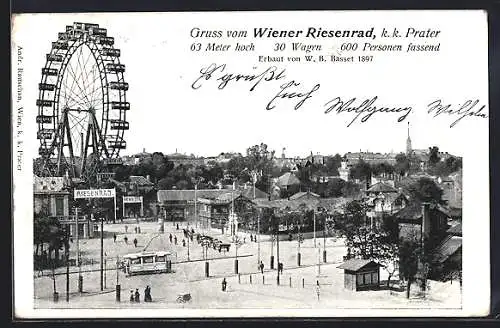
[{"x": 105, "y": 126}]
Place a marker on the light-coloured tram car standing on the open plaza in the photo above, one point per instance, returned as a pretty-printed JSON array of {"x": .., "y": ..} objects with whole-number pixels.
[{"x": 147, "y": 263}]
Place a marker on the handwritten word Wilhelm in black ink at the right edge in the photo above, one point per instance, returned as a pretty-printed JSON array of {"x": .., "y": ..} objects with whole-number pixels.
[{"x": 469, "y": 108}]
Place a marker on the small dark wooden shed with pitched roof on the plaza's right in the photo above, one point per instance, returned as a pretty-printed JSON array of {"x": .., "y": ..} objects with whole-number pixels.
[{"x": 361, "y": 274}]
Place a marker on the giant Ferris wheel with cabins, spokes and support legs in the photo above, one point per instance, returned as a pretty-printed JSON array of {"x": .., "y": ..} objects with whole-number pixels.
[{"x": 82, "y": 103}]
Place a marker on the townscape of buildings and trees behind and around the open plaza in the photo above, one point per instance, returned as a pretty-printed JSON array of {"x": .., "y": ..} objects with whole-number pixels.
[{"x": 396, "y": 215}]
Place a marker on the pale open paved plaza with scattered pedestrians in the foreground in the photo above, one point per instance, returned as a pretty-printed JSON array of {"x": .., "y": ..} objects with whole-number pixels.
[{"x": 249, "y": 289}]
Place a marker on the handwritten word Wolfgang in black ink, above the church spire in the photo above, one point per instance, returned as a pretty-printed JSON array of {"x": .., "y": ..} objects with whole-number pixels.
[{"x": 366, "y": 108}]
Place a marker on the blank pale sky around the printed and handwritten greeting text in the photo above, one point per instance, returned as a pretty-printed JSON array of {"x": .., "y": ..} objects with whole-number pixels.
[{"x": 168, "y": 115}]
